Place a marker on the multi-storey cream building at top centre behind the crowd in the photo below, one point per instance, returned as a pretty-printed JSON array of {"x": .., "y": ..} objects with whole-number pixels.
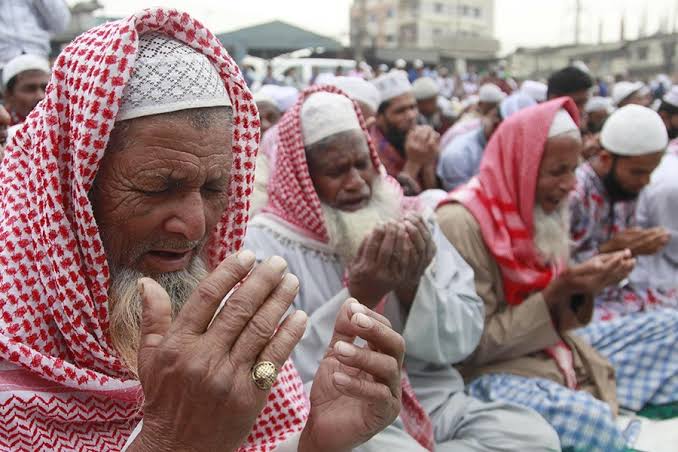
[{"x": 435, "y": 31}]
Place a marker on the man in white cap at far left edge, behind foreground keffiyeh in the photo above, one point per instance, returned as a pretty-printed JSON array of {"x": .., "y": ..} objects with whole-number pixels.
[{"x": 24, "y": 80}]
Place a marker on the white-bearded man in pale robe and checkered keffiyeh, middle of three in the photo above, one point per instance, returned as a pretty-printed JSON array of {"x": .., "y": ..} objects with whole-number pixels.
[{"x": 345, "y": 227}]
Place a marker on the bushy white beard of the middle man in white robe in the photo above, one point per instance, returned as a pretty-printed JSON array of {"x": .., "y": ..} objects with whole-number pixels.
[{"x": 347, "y": 230}]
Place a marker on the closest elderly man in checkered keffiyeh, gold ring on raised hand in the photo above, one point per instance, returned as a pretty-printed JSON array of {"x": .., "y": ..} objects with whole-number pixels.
[{"x": 123, "y": 207}]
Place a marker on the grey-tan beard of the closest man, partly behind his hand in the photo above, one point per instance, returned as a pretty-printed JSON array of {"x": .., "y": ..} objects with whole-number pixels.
[{"x": 124, "y": 304}]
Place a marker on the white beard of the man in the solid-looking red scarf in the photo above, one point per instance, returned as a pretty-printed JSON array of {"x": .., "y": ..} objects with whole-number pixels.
[{"x": 552, "y": 233}]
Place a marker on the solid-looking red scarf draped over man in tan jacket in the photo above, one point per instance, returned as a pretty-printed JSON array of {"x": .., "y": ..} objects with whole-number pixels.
[{"x": 502, "y": 198}]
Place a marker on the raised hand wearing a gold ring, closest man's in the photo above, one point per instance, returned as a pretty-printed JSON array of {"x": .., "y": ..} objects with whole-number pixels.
[{"x": 196, "y": 371}]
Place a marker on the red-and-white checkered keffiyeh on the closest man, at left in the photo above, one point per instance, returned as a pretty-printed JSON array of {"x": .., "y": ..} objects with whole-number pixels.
[{"x": 62, "y": 385}]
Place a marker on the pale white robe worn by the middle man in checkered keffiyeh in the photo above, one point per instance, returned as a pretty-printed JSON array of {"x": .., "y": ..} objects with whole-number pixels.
[{"x": 443, "y": 327}]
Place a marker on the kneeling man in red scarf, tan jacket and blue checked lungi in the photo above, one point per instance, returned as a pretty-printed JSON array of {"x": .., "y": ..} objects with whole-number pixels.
[{"x": 510, "y": 223}]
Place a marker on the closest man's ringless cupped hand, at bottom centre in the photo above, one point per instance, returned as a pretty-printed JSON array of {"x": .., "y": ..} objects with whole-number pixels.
[{"x": 356, "y": 391}]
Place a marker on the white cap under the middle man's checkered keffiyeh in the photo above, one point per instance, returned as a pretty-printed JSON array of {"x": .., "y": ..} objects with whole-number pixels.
[{"x": 324, "y": 114}]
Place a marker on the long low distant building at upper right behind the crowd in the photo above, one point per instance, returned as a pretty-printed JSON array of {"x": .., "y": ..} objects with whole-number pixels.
[{"x": 640, "y": 58}]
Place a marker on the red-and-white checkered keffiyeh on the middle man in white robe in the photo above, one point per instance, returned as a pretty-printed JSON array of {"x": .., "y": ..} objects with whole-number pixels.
[{"x": 292, "y": 197}]
